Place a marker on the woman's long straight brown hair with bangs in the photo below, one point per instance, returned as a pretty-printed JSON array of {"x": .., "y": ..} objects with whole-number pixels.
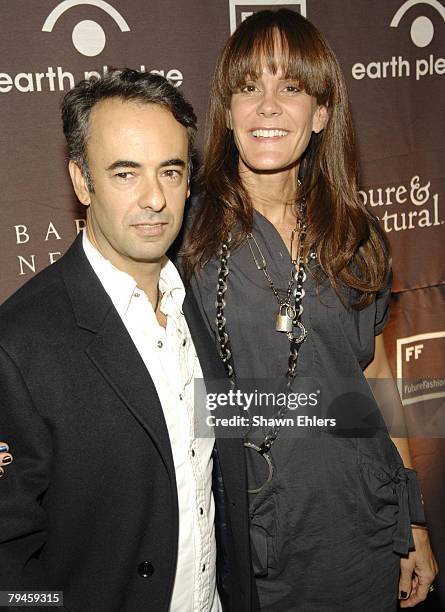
[{"x": 351, "y": 247}]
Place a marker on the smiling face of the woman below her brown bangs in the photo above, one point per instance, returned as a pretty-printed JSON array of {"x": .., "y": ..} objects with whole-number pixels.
[{"x": 272, "y": 122}]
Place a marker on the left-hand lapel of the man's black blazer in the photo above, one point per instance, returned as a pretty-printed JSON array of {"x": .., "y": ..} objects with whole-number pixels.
[{"x": 112, "y": 350}]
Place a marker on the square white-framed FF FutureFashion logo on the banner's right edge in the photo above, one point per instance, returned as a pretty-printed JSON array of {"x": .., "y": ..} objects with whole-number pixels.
[{"x": 418, "y": 358}]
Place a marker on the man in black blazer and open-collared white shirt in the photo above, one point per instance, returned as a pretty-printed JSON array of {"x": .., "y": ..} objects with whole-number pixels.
[{"x": 110, "y": 497}]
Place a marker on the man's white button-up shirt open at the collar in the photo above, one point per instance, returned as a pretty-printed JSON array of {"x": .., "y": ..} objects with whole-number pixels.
[{"x": 170, "y": 358}]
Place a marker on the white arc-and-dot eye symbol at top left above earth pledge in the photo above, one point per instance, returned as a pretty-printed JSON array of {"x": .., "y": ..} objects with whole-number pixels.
[{"x": 88, "y": 36}]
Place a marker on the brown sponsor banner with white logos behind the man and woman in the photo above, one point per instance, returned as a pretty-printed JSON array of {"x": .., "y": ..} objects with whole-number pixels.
[{"x": 393, "y": 56}]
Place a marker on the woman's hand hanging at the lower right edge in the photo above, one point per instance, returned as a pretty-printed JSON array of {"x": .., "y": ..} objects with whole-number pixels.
[{"x": 417, "y": 571}]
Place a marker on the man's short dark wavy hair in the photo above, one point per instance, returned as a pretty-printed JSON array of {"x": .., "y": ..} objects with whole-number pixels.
[{"x": 126, "y": 85}]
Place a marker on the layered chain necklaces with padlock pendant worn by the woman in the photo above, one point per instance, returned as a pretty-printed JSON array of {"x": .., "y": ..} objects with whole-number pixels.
[{"x": 288, "y": 318}]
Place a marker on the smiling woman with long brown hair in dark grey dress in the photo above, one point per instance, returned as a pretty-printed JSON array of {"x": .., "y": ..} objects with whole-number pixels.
[{"x": 292, "y": 276}]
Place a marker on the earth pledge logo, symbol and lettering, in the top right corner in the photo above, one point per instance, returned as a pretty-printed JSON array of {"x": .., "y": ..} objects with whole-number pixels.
[{"x": 421, "y": 32}]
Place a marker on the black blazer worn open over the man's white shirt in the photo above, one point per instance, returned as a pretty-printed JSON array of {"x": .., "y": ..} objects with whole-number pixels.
[{"x": 90, "y": 504}]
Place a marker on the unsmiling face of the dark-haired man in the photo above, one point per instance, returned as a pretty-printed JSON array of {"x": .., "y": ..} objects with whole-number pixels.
[{"x": 137, "y": 156}]
